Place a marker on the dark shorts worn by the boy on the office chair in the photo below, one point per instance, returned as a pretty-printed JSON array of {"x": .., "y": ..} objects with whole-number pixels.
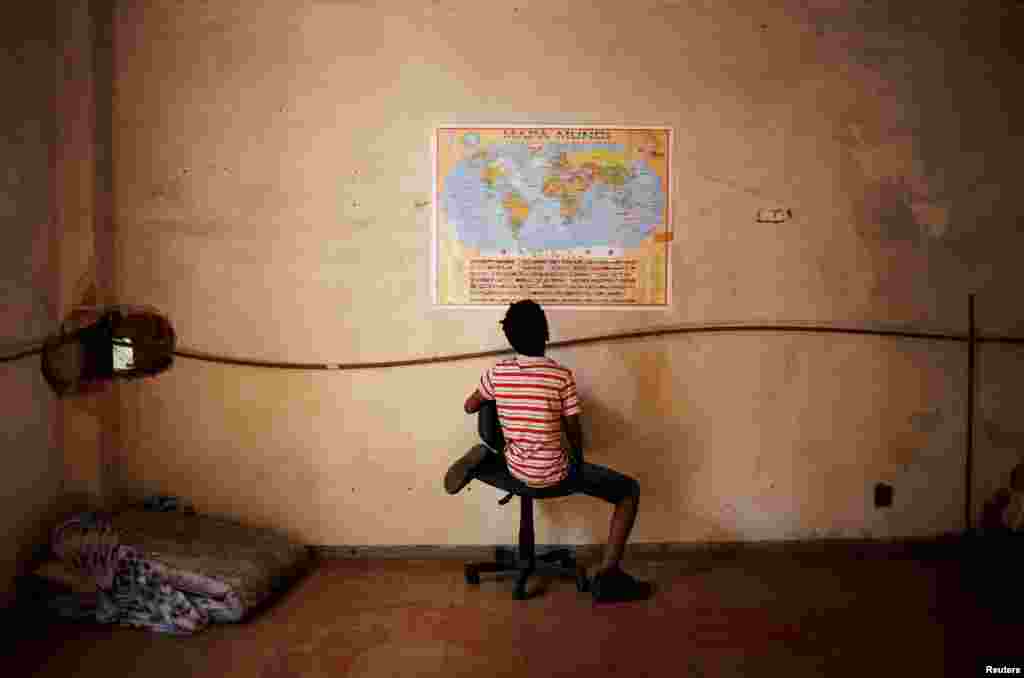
[{"x": 589, "y": 480}]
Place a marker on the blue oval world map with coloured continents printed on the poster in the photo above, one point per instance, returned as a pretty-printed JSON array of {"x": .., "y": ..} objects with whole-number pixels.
[{"x": 552, "y": 196}]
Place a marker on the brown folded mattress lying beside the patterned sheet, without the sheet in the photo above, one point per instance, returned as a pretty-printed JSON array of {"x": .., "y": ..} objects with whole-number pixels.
[{"x": 255, "y": 563}]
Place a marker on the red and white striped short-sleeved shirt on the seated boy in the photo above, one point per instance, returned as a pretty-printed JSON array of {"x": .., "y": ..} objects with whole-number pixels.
[{"x": 533, "y": 395}]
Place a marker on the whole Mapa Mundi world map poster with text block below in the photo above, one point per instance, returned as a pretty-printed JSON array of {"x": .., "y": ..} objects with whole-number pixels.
[{"x": 568, "y": 217}]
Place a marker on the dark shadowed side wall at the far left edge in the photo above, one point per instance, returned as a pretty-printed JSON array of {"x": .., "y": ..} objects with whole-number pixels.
[{"x": 33, "y": 470}]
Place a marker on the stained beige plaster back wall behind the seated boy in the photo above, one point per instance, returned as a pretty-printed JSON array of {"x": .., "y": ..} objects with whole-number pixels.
[{"x": 272, "y": 162}]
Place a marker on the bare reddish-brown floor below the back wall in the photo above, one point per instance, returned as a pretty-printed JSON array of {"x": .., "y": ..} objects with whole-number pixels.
[{"x": 754, "y": 616}]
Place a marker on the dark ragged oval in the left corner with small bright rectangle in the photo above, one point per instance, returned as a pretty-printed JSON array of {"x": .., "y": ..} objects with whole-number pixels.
[{"x": 99, "y": 345}]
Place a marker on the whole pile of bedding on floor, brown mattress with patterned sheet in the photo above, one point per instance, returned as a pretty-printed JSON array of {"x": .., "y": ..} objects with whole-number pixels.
[{"x": 165, "y": 571}]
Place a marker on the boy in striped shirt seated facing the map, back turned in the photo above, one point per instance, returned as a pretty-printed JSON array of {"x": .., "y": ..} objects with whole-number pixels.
[{"x": 535, "y": 396}]
